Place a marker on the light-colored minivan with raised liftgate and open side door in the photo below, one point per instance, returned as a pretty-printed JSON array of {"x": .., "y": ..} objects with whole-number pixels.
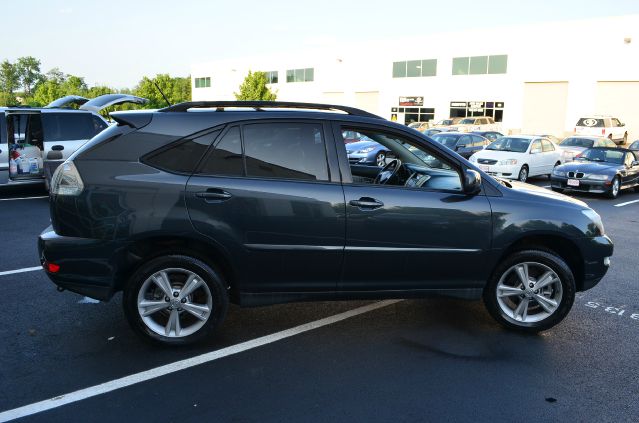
[{"x": 35, "y": 141}]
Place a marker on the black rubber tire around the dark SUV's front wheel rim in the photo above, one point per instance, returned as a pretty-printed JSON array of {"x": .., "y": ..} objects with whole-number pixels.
[{"x": 546, "y": 258}]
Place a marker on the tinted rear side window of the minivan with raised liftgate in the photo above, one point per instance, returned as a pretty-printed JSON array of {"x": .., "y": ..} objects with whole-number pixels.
[{"x": 67, "y": 126}]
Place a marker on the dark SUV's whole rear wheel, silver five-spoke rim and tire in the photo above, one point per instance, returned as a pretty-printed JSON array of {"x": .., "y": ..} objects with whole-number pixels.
[{"x": 175, "y": 300}]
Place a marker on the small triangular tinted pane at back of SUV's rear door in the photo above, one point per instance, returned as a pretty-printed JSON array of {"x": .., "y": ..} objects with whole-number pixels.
[{"x": 226, "y": 157}]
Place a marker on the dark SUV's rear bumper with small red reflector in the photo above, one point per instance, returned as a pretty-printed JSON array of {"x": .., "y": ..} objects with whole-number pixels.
[{"x": 87, "y": 266}]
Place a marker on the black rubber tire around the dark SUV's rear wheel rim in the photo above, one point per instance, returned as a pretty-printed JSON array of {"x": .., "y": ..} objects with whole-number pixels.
[{"x": 216, "y": 288}]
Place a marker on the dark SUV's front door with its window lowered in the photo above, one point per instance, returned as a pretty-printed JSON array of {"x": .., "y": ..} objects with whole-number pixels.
[{"x": 411, "y": 237}]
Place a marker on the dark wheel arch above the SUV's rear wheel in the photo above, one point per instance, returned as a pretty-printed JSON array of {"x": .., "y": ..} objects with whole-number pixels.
[{"x": 142, "y": 250}]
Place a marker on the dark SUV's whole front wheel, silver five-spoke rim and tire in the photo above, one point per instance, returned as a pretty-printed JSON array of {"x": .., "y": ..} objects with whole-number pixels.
[{"x": 530, "y": 291}]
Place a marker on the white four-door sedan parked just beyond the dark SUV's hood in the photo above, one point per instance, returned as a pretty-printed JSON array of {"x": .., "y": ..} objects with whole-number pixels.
[{"x": 518, "y": 157}]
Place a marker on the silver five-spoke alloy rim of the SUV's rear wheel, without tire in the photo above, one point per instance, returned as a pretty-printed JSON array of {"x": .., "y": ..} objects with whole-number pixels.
[{"x": 174, "y": 302}]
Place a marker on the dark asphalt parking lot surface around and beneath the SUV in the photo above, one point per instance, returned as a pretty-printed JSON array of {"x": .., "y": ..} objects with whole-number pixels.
[{"x": 435, "y": 359}]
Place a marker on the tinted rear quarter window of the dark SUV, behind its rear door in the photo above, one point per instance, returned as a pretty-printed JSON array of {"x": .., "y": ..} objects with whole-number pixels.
[{"x": 182, "y": 156}]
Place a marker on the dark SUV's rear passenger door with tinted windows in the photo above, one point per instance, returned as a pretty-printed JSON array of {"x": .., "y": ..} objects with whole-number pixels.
[{"x": 269, "y": 192}]
